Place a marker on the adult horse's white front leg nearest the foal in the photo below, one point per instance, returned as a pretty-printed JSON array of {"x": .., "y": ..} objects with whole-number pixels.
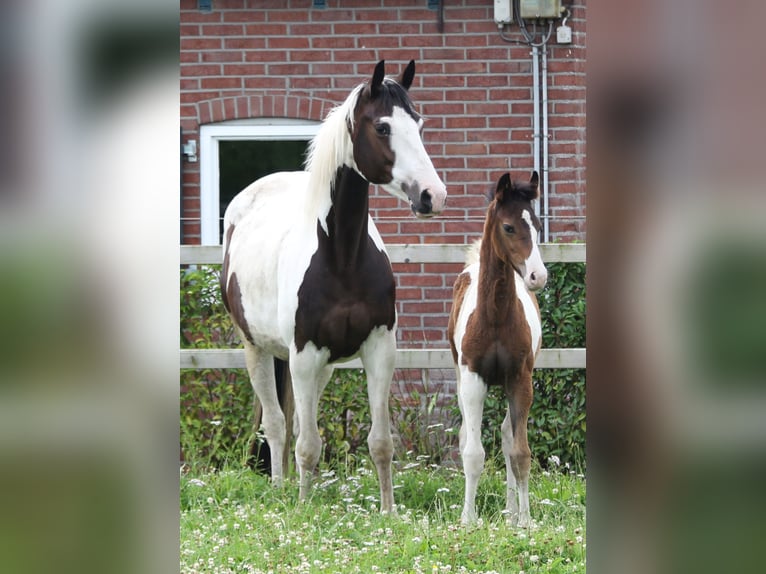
[{"x": 378, "y": 356}]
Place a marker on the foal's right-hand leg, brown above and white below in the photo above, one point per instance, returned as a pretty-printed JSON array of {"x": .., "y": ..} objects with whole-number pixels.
[{"x": 517, "y": 454}]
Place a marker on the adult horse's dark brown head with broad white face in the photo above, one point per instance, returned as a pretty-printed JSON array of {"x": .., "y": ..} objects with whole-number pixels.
[{"x": 388, "y": 149}]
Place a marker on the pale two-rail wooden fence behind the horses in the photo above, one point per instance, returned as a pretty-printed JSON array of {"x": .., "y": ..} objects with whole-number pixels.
[{"x": 405, "y": 358}]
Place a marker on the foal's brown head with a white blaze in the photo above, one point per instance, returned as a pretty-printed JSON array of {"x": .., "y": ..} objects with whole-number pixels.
[{"x": 514, "y": 226}]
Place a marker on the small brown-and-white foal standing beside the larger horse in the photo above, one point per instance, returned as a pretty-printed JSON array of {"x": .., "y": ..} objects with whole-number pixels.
[{"x": 494, "y": 332}]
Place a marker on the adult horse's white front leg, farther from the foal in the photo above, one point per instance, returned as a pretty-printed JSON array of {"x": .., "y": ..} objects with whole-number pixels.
[{"x": 310, "y": 373}]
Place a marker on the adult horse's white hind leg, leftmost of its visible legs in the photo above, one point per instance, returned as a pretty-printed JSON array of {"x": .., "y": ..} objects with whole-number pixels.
[{"x": 260, "y": 367}]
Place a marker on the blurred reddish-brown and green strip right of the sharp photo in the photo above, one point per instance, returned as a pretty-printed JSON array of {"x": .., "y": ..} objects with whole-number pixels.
[{"x": 677, "y": 286}]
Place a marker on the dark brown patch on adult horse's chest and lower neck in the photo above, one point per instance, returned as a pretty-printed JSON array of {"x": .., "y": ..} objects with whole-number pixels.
[{"x": 348, "y": 289}]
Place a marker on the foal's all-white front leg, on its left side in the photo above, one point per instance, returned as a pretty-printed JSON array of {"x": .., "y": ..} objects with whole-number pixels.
[{"x": 471, "y": 394}]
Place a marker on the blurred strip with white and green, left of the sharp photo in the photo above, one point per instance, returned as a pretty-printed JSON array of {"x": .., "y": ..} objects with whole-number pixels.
[{"x": 89, "y": 286}]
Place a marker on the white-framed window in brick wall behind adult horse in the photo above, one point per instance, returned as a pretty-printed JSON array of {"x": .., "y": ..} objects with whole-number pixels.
[{"x": 234, "y": 154}]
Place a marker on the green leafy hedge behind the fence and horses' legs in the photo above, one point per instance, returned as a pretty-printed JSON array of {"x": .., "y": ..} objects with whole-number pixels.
[{"x": 216, "y": 405}]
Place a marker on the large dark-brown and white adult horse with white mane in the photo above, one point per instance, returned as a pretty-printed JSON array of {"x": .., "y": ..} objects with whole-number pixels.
[{"x": 306, "y": 277}]
